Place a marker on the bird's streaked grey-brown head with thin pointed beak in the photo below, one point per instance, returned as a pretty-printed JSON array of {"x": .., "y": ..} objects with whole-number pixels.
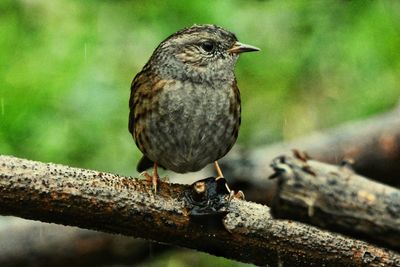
[{"x": 198, "y": 53}]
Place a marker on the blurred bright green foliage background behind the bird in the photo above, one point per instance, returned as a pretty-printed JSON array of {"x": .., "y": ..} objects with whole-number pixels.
[{"x": 66, "y": 68}]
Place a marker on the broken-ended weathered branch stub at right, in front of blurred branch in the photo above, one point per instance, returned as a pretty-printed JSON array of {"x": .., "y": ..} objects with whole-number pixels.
[{"x": 336, "y": 198}]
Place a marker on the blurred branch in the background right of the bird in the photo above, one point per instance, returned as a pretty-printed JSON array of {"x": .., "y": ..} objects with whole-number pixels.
[{"x": 373, "y": 144}]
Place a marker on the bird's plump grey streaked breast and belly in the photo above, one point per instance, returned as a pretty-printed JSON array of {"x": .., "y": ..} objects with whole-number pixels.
[{"x": 193, "y": 125}]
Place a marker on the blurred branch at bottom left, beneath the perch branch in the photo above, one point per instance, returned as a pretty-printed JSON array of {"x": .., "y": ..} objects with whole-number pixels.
[{"x": 31, "y": 243}]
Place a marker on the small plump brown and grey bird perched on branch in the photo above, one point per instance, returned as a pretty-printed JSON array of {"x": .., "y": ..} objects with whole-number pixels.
[{"x": 185, "y": 107}]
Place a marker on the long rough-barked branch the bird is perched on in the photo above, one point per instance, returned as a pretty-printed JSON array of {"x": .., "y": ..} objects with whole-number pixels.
[{"x": 124, "y": 205}]
